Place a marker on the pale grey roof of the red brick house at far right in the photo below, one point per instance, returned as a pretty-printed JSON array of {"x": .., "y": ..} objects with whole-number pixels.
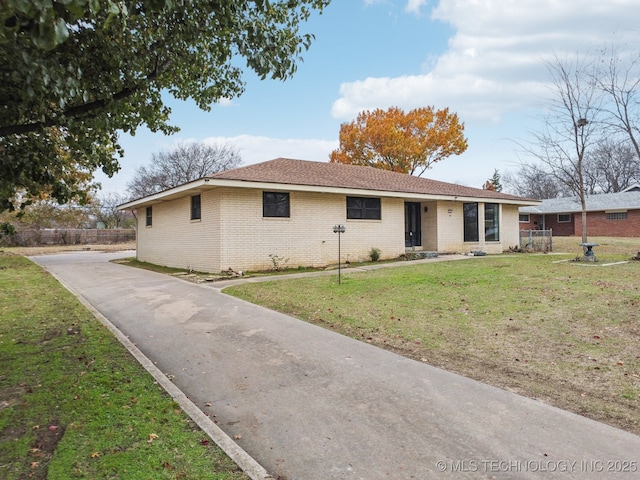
[{"x": 595, "y": 203}]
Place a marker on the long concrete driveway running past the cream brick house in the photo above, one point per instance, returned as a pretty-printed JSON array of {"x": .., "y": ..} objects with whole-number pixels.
[{"x": 307, "y": 403}]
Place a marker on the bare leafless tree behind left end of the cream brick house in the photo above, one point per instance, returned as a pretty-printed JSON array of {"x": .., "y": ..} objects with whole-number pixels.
[{"x": 183, "y": 163}]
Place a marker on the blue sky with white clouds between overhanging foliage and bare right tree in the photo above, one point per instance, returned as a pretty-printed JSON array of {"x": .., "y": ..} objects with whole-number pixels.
[{"x": 483, "y": 59}]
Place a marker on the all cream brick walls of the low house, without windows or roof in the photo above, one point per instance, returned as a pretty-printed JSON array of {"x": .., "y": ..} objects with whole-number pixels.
[{"x": 233, "y": 233}]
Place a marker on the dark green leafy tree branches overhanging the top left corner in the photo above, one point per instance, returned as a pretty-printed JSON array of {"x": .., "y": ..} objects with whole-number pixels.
[{"x": 75, "y": 73}]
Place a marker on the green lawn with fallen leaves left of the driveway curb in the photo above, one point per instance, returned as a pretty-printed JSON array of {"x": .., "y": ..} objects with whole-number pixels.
[{"x": 75, "y": 404}]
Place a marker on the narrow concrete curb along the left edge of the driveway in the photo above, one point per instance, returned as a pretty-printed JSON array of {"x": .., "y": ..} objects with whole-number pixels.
[{"x": 245, "y": 462}]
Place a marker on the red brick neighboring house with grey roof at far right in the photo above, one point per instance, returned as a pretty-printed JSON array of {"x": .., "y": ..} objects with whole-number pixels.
[{"x": 608, "y": 215}]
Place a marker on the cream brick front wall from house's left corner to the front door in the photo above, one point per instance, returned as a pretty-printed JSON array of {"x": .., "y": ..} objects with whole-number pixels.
[{"x": 305, "y": 238}]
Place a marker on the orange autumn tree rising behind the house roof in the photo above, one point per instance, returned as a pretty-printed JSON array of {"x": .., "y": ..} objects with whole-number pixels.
[{"x": 402, "y": 142}]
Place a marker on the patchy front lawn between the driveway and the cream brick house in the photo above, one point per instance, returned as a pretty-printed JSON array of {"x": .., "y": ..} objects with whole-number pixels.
[{"x": 539, "y": 325}]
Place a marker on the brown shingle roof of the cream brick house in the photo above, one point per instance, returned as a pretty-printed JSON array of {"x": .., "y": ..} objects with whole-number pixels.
[{"x": 323, "y": 174}]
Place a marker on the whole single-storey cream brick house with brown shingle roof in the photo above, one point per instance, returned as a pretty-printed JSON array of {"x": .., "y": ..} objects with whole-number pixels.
[{"x": 241, "y": 218}]
